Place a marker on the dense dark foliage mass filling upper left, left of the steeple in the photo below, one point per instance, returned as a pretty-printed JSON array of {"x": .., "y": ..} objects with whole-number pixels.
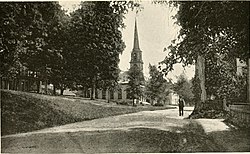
[{"x": 69, "y": 51}]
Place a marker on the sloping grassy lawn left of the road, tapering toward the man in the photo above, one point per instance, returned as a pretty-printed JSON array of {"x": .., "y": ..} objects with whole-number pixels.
[{"x": 24, "y": 112}]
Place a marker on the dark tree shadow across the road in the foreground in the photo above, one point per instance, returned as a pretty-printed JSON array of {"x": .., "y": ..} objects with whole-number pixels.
[{"x": 190, "y": 138}]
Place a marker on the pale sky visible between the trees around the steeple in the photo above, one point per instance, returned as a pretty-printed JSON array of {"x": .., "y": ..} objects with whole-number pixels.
[{"x": 155, "y": 28}]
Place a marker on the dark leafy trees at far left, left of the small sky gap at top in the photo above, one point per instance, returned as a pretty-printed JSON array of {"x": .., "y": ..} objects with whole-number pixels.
[{"x": 27, "y": 35}]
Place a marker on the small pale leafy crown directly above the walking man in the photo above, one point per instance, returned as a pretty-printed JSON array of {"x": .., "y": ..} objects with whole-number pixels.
[{"x": 183, "y": 87}]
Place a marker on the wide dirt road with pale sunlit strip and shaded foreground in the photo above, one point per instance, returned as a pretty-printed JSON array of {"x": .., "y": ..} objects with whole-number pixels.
[{"x": 147, "y": 131}]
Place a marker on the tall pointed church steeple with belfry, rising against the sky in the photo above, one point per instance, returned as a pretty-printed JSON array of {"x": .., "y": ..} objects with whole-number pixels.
[{"x": 136, "y": 54}]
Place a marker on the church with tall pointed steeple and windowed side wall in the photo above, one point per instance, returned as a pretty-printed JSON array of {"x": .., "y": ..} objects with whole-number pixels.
[{"x": 120, "y": 95}]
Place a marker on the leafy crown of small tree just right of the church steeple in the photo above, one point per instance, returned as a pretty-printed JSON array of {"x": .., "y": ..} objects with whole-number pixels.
[{"x": 157, "y": 88}]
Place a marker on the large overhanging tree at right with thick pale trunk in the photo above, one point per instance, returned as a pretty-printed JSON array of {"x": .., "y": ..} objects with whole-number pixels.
[{"x": 210, "y": 30}]
